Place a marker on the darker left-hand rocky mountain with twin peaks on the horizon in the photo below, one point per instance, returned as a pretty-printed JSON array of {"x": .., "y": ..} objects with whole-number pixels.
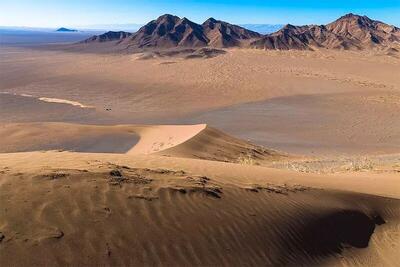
[{"x": 170, "y": 31}]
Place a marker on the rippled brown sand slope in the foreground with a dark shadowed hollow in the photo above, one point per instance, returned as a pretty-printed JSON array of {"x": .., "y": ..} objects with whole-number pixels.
[{"x": 75, "y": 208}]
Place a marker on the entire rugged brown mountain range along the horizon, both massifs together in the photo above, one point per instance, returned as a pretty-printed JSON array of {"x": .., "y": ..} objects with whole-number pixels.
[{"x": 351, "y": 31}]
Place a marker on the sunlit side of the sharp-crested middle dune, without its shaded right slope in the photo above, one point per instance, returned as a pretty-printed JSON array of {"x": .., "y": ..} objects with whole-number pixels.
[{"x": 136, "y": 139}]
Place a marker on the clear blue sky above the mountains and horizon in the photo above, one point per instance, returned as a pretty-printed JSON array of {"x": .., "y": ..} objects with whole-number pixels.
[{"x": 55, "y": 13}]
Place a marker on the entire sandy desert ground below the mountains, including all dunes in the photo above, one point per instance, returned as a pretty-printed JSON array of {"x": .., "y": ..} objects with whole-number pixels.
[{"x": 248, "y": 158}]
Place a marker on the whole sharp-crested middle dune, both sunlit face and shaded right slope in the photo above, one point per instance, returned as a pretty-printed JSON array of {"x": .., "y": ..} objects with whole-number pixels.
[{"x": 187, "y": 141}]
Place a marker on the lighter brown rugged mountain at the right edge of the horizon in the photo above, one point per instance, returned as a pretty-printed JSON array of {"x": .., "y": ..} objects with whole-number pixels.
[{"x": 348, "y": 32}]
